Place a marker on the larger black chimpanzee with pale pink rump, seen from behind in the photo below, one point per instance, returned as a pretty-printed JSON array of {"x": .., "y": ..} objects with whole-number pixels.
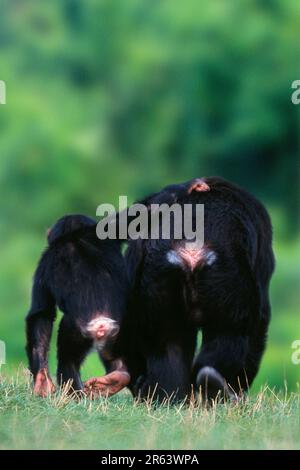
[{"x": 220, "y": 288}]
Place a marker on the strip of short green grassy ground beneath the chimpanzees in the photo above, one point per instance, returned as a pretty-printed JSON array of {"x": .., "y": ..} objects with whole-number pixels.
[{"x": 266, "y": 420}]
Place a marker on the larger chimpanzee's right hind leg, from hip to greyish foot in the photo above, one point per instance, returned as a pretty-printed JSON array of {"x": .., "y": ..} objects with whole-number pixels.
[{"x": 234, "y": 335}]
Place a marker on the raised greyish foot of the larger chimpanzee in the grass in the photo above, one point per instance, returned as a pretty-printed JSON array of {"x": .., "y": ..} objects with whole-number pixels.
[{"x": 212, "y": 385}]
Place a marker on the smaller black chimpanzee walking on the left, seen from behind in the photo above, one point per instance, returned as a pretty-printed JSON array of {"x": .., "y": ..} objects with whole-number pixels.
[{"x": 86, "y": 279}]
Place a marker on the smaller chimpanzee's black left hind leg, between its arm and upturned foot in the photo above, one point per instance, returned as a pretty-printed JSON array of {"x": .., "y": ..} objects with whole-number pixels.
[{"x": 72, "y": 349}]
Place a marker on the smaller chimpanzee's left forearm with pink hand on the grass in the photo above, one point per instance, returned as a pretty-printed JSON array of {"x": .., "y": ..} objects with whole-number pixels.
[{"x": 39, "y": 323}]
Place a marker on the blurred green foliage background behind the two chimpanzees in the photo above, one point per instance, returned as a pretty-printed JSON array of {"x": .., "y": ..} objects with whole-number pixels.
[{"x": 122, "y": 97}]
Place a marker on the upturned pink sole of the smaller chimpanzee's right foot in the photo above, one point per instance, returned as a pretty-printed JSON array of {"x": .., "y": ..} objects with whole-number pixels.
[{"x": 107, "y": 385}]
